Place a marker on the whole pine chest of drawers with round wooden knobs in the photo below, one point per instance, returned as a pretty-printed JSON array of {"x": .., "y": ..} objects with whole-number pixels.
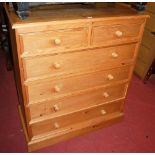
[{"x": 73, "y": 65}]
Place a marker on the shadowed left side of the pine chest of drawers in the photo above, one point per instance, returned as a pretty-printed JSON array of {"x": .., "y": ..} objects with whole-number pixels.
[{"x": 18, "y": 72}]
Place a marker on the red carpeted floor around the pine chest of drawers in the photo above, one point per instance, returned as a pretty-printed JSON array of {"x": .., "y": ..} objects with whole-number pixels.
[{"x": 135, "y": 134}]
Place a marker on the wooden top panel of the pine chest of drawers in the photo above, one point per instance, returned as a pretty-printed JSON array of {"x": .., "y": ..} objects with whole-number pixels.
[{"x": 61, "y": 13}]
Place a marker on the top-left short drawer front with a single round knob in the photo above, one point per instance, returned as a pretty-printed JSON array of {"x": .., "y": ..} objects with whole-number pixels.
[{"x": 58, "y": 40}]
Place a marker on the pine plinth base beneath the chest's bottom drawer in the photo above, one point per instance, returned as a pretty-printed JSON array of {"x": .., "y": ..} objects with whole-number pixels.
[{"x": 76, "y": 130}]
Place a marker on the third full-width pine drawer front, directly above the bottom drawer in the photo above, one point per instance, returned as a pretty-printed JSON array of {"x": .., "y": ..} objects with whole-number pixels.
[{"x": 74, "y": 103}]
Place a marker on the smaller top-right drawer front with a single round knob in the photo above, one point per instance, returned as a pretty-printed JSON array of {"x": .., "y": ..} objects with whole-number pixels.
[{"x": 115, "y": 34}]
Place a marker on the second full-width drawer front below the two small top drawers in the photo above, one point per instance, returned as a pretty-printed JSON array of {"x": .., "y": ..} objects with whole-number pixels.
[{"x": 61, "y": 87}]
